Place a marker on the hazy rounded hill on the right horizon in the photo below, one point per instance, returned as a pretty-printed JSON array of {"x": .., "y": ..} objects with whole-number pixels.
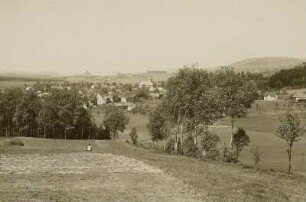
[{"x": 266, "y": 65}]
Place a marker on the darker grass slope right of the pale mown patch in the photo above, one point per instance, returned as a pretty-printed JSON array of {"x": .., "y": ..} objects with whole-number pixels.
[{"x": 220, "y": 181}]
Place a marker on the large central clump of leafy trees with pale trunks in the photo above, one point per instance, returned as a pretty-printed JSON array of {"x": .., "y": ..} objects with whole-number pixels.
[{"x": 195, "y": 99}]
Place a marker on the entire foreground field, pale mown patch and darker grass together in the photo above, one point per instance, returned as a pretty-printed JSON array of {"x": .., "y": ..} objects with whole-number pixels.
[{"x": 59, "y": 170}]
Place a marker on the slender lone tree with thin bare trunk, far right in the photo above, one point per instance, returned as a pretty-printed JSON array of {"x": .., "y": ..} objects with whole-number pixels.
[{"x": 290, "y": 129}]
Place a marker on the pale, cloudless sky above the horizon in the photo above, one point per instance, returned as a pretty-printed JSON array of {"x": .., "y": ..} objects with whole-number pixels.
[{"x": 104, "y": 37}]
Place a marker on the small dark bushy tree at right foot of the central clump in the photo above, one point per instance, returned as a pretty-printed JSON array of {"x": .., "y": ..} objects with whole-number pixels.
[{"x": 240, "y": 139}]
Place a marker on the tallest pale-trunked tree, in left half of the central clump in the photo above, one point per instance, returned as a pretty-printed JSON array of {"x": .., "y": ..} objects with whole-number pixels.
[{"x": 184, "y": 99}]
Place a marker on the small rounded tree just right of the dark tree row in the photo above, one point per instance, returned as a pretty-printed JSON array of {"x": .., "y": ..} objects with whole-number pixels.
[{"x": 115, "y": 120}]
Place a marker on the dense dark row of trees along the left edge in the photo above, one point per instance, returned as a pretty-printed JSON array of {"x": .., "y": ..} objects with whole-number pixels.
[{"x": 60, "y": 114}]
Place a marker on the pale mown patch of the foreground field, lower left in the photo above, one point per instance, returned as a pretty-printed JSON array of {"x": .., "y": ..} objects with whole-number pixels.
[{"x": 86, "y": 177}]
